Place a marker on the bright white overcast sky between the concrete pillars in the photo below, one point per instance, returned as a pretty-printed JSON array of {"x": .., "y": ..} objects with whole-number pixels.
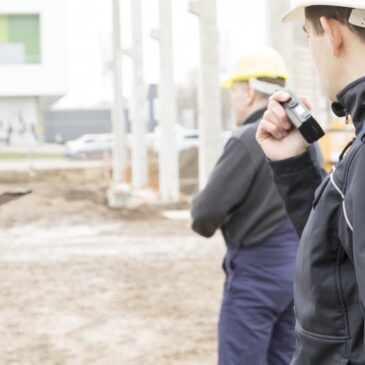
[{"x": 241, "y": 25}]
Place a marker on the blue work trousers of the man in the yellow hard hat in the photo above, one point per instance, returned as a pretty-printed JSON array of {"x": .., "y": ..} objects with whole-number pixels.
[{"x": 256, "y": 324}]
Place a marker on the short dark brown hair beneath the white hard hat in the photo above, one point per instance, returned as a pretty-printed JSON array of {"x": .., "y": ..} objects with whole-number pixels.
[{"x": 341, "y": 14}]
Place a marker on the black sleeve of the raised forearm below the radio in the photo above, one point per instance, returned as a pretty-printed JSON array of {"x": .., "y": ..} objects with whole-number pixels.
[{"x": 297, "y": 179}]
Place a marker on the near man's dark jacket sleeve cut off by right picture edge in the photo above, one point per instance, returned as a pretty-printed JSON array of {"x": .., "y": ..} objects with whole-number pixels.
[{"x": 354, "y": 213}]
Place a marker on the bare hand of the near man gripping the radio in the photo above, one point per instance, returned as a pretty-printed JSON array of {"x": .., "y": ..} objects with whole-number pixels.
[{"x": 276, "y": 135}]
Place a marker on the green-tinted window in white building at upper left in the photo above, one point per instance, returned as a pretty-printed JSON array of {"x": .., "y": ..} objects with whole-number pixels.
[{"x": 19, "y": 39}]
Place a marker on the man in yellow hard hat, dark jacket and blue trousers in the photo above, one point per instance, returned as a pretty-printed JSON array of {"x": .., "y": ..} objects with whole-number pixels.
[{"x": 256, "y": 325}]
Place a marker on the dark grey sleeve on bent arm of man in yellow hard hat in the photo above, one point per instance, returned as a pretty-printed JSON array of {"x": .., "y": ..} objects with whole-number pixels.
[{"x": 226, "y": 188}]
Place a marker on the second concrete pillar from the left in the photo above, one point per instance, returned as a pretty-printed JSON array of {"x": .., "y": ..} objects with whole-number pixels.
[{"x": 139, "y": 103}]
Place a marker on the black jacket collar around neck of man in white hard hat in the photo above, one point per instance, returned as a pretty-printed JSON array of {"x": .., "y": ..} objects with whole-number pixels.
[{"x": 351, "y": 100}]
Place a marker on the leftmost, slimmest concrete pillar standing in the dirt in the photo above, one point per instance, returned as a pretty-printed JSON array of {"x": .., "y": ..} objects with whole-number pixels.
[{"x": 118, "y": 118}]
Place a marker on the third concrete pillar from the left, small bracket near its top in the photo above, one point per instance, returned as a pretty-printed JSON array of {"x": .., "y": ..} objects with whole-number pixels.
[{"x": 168, "y": 149}]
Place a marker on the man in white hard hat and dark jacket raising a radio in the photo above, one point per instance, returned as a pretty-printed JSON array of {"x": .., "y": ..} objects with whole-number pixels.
[{"x": 328, "y": 211}]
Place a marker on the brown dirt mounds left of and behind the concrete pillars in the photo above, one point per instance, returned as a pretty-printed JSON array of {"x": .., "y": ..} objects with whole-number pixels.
[{"x": 80, "y": 195}]
